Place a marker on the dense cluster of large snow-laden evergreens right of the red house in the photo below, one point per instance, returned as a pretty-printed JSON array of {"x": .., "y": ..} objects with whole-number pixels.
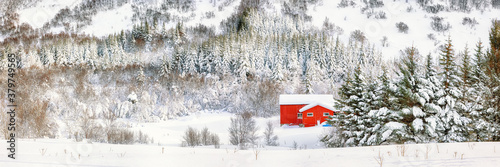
[{"x": 459, "y": 102}]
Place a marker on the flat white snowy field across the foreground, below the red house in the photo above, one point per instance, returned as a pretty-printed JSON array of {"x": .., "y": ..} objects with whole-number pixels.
[{"x": 167, "y": 152}]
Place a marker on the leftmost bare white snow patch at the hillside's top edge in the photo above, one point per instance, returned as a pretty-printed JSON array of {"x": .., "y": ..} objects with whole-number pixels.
[{"x": 44, "y": 11}]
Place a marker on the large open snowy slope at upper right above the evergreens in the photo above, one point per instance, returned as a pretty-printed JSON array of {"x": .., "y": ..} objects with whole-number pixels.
[{"x": 417, "y": 19}]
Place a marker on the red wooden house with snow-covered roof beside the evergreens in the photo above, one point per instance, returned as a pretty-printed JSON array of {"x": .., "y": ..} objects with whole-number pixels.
[{"x": 307, "y": 110}]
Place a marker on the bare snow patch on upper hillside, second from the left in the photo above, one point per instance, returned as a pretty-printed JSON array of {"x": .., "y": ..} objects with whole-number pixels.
[{"x": 111, "y": 21}]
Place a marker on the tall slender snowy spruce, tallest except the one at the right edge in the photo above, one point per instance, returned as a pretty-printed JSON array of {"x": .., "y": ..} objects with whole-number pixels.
[{"x": 454, "y": 123}]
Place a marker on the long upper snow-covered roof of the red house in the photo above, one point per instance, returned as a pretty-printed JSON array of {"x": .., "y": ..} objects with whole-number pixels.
[{"x": 306, "y": 99}]
